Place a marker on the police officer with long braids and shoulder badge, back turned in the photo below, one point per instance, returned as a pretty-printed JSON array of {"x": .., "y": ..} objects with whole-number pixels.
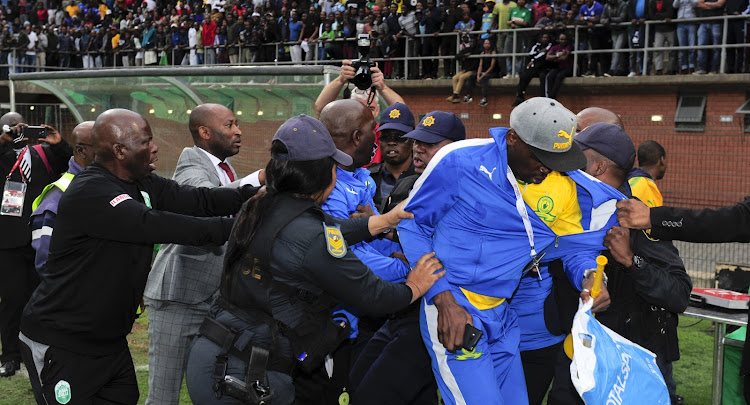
[{"x": 272, "y": 320}]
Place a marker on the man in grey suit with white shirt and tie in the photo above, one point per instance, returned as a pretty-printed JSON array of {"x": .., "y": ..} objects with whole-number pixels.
[{"x": 184, "y": 279}]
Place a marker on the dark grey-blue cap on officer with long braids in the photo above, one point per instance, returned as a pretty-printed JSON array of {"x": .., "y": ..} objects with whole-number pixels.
[{"x": 306, "y": 139}]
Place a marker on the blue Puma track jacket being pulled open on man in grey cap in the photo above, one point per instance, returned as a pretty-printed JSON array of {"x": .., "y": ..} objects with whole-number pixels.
[{"x": 465, "y": 210}]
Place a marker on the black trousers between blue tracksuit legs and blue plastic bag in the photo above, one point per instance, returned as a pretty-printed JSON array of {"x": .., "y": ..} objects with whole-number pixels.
[{"x": 539, "y": 369}]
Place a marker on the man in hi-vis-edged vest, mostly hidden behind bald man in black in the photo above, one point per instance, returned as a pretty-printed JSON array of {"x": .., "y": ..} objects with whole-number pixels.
[{"x": 45, "y": 206}]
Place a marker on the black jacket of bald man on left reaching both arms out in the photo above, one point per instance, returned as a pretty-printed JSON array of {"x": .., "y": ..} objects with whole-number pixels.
[{"x": 100, "y": 254}]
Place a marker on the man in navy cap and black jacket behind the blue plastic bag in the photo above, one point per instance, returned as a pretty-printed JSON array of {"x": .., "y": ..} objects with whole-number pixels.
[{"x": 648, "y": 284}]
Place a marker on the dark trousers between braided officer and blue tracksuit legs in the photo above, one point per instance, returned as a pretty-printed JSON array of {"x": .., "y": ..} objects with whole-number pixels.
[{"x": 394, "y": 368}]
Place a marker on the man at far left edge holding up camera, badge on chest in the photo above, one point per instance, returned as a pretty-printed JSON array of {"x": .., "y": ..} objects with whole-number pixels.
[{"x": 35, "y": 163}]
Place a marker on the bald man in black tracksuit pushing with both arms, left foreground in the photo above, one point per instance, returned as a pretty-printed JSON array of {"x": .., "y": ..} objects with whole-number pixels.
[{"x": 74, "y": 327}]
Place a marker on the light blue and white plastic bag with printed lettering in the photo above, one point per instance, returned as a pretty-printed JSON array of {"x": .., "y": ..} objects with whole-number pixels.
[{"x": 608, "y": 369}]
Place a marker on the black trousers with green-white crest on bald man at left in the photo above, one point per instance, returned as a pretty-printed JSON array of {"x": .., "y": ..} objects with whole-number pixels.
[{"x": 88, "y": 379}]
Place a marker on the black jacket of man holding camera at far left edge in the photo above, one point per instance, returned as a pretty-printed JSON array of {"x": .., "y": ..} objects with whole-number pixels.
[{"x": 16, "y": 231}]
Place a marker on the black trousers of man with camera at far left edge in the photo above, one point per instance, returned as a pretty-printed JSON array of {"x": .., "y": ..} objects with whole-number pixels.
[{"x": 18, "y": 280}]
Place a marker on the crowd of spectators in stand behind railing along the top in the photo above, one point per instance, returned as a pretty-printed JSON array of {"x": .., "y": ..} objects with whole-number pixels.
[{"x": 43, "y": 35}]
